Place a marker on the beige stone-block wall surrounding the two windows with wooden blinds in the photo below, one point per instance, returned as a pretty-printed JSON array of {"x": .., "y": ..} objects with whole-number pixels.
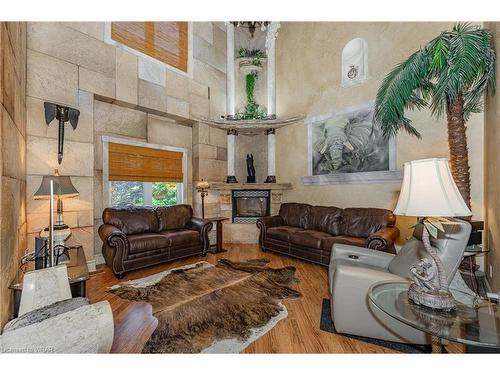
[{"x": 117, "y": 92}]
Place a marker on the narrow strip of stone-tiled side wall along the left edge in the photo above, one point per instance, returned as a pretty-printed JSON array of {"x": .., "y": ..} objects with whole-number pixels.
[{"x": 12, "y": 158}]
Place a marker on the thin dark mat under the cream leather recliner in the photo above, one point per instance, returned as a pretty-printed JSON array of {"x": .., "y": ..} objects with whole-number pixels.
[{"x": 327, "y": 325}]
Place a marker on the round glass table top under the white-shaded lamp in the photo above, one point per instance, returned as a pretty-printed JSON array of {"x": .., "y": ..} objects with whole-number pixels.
[{"x": 475, "y": 321}]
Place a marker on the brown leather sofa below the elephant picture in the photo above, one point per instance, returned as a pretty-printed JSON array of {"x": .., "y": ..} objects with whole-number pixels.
[{"x": 309, "y": 232}]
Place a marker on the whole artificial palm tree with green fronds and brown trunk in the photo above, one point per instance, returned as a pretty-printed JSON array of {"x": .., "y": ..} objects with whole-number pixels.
[{"x": 449, "y": 75}]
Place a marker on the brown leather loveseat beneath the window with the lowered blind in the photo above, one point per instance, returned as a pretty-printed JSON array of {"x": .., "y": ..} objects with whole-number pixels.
[{"x": 139, "y": 237}]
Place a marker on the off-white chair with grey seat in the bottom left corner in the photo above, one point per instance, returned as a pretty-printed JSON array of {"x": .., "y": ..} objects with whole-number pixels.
[{"x": 51, "y": 321}]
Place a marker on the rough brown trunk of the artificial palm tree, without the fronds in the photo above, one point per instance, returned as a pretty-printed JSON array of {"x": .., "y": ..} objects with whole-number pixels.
[{"x": 457, "y": 143}]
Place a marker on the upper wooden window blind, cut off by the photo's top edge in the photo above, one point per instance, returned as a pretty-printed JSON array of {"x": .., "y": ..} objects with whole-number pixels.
[{"x": 164, "y": 41}]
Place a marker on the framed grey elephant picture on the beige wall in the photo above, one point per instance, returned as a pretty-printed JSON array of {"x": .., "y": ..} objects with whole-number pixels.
[{"x": 346, "y": 147}]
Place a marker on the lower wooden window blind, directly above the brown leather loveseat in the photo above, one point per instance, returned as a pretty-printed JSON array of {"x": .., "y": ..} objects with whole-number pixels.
[{"x": 134, "y": 163}]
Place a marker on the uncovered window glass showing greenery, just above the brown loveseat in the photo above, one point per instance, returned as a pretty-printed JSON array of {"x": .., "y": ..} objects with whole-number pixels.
[{"x": 134, "y": 193}]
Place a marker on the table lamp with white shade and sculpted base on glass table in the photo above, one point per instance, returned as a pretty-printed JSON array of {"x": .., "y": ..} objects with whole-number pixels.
[{"x": 429, "y": 192}]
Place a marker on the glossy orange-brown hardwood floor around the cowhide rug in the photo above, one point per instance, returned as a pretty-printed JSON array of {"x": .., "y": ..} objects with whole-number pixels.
[{"x": 298, "y": 333}]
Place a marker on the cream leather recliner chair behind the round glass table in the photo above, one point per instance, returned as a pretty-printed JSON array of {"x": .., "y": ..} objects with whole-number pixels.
[{"x": 353, "y": 270}]
